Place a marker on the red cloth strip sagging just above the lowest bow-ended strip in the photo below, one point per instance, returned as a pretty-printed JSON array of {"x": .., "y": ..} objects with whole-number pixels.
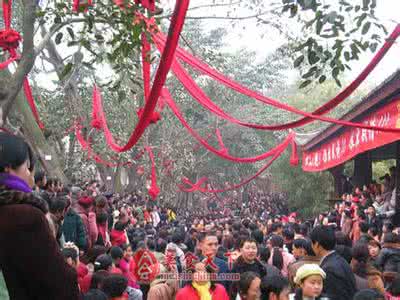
[{"x": 219, "y": 153}]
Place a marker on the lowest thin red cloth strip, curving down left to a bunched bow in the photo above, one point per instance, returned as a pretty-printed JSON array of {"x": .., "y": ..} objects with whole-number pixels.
[{"x": 196, "y": 186}]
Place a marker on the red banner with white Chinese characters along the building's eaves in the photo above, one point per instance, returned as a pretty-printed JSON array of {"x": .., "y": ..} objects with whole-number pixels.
[{"x": 354, "y": 141}]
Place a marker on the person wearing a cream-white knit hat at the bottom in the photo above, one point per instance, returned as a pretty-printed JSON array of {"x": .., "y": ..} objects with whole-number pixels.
[{"x": 310, "y": 280}]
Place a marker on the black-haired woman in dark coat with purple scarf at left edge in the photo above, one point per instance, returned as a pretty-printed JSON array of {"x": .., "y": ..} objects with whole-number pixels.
[{"x": 30, "y": 258}]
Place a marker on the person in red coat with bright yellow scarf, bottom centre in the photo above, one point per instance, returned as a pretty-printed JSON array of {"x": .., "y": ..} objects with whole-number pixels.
[{"x": 202, "y": 286}]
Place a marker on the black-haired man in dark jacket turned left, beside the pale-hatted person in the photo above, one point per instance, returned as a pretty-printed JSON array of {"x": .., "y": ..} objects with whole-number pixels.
[{"x": 340, "y": 283}]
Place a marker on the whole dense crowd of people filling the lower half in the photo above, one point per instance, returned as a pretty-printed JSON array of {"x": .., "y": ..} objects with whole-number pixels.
[{"x": 79, "y": 242}]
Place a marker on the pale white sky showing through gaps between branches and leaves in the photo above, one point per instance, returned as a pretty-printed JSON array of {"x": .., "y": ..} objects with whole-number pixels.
[{"x": 250, "y": 36}]
